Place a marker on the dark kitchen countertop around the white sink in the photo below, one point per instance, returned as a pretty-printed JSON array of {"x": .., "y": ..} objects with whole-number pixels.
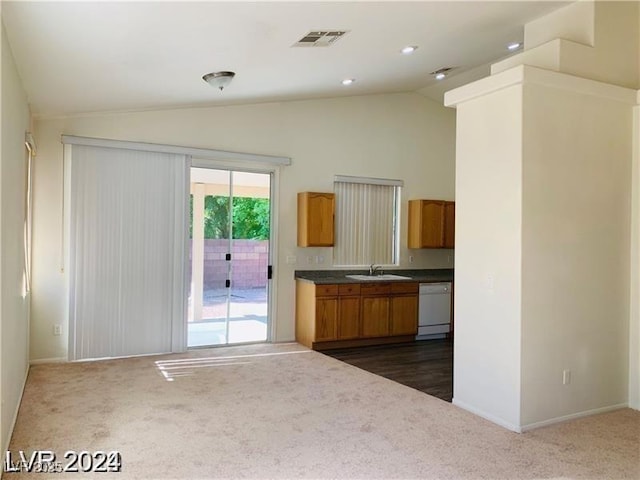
[{"x": 426, "y": 275}]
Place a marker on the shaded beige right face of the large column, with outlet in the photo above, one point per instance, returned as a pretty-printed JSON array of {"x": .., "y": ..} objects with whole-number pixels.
[{"x": 575, "y": 252}]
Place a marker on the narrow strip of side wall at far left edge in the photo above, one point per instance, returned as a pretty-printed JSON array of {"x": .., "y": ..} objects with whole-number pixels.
[{"x": 14, "y": 312}]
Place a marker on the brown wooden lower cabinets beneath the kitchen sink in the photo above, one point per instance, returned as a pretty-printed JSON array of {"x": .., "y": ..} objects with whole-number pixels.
[{"x": 333, "y": 316}]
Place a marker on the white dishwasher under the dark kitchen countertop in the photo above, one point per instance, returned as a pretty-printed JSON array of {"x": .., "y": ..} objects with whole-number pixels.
[{"x": 434, "y": 310}]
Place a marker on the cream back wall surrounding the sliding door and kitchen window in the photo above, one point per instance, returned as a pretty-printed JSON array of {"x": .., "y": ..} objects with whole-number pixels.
[{"x": 403, "y": 136}]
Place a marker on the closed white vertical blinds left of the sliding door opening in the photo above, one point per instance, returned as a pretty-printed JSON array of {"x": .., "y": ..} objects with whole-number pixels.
[{"x": 126, "y": 250}]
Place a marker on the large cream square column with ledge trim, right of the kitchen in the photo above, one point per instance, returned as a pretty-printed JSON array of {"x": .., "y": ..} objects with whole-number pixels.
[{"x": 543, "y": 215}]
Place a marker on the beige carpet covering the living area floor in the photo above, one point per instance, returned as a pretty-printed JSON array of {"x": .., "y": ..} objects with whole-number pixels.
[{"x": 281, "y": 411}]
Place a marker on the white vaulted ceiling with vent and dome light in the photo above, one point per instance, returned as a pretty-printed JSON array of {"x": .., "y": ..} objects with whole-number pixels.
[{"x": 77, "y": 57}]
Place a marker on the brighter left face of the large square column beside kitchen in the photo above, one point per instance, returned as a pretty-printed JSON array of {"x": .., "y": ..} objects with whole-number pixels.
[{"x": 487, "y": 353}]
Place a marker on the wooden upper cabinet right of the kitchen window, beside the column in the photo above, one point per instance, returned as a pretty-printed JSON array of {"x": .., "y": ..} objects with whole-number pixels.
[{"x": 431, "y": 224}]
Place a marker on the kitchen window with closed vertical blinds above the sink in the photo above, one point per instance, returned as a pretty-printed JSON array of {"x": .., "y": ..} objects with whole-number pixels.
[{"x": 367, "y": 221}]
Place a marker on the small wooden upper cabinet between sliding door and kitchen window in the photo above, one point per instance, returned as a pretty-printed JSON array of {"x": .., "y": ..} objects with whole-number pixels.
[{"x": 315, "y": 219}]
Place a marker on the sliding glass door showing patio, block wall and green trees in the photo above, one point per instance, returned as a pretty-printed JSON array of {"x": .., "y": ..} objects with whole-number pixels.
[{"x": 229, "y": 257}]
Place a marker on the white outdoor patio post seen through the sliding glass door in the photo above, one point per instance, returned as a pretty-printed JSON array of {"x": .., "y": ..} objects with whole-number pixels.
[{"x": 197, "y": 251}]
